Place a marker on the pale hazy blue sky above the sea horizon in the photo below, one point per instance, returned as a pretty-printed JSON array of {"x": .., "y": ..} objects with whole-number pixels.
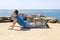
[{"x": 29, "y": 4}]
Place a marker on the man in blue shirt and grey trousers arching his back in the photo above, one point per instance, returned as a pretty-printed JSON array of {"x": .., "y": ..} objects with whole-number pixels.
[{"x": 20, "y": 21}]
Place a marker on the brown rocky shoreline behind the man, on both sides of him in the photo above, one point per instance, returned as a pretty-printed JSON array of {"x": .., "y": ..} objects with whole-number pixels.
[{"x": 31, "y": 18}]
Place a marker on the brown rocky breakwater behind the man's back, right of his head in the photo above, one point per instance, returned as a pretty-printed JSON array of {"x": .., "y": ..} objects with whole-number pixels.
[{"x": 40, "y": 17}]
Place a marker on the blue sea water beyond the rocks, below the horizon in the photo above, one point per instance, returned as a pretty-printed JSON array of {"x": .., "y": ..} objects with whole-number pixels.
[{"x": 47, "y": 12}]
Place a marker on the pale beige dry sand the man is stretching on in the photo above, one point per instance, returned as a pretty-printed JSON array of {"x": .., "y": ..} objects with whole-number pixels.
[{"x": 33, "y": 34}]
